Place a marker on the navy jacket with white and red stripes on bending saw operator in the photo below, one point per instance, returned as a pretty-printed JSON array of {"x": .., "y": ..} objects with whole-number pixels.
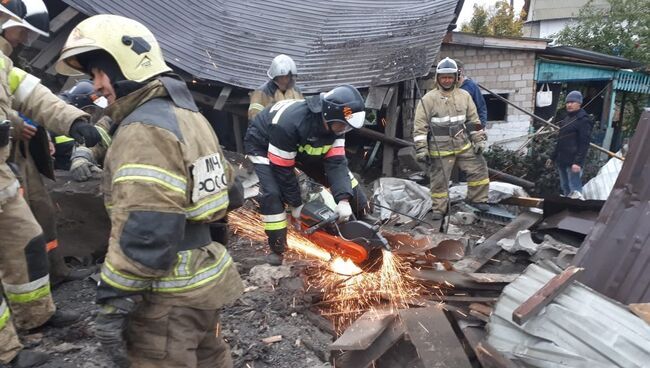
[{"x": 290, "y": 132}]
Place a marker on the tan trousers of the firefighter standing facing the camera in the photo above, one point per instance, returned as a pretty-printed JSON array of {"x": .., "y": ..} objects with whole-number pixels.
[{"x": 474, "y": 167}]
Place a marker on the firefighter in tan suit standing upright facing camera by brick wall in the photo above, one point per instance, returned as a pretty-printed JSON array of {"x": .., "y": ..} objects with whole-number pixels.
[{"x": 448, "y": 132}]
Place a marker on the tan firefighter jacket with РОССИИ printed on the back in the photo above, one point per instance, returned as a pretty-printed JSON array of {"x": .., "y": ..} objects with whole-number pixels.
[{"x": 165, "y": 179}]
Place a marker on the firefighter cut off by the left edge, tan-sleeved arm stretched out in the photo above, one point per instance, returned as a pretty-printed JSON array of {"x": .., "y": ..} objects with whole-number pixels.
[{"x": 23, "y": 264}]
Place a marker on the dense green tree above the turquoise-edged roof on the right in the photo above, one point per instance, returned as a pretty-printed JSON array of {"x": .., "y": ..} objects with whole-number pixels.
[{"x": 623, "y": 29}]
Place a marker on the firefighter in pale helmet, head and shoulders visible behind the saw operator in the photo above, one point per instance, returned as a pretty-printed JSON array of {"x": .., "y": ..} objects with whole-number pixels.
[{"x": 281, "y": 86}]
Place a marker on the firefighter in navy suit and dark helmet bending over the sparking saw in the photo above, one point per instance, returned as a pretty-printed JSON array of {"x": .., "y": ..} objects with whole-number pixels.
[{"x": 308, "y": 134}]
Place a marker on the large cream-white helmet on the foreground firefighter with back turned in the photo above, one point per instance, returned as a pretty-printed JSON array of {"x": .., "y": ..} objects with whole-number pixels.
[{"x": 129, "y": 42}]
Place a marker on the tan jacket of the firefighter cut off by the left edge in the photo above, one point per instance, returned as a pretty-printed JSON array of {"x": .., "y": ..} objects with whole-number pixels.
[{"x": 23, "y": 92}]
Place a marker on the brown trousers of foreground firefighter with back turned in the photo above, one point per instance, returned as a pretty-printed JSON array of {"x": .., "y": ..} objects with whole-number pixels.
[{"x": 160, "y": 336}]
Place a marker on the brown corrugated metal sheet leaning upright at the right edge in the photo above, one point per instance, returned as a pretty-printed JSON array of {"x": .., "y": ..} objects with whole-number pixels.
[{"x": 616, "y": 254}]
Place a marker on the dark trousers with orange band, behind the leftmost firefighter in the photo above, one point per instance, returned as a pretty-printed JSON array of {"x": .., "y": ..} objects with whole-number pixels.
[{"x": 42, "y": 206}]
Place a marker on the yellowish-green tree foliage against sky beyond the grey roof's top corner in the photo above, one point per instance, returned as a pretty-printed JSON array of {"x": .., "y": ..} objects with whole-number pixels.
[{"x": 498, "y": 20}]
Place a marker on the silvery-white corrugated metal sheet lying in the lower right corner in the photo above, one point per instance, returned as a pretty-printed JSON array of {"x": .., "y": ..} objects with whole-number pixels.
[{"x": 579, "y": 328}]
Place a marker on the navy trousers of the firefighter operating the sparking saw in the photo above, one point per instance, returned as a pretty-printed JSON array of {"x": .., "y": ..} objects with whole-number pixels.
[{"x": 272, "y": 204}]
